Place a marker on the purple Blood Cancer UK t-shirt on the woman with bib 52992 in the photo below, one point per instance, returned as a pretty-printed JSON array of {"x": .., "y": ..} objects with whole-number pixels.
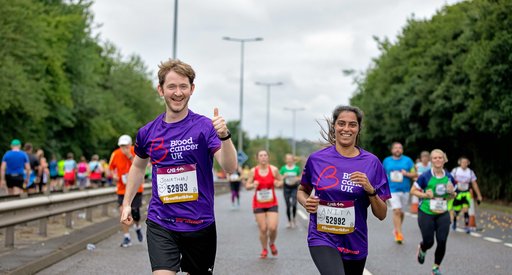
[{"x": 328, "y": 173}]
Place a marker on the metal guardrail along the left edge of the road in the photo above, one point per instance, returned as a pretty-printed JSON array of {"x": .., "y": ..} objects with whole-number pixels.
[{"x": 22, "y": 211}]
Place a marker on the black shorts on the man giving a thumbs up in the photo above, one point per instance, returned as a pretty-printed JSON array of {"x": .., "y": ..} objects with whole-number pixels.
[{"x": 197, "y": 249}]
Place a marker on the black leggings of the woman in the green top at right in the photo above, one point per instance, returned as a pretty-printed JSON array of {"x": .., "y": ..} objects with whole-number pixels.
[{"x": 438, "y": 224}]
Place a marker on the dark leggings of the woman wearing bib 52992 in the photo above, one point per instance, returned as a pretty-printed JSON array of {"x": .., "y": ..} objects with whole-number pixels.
[{"x": 328, "y": 261}]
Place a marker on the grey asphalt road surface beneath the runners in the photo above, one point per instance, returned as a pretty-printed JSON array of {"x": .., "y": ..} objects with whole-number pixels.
[{"x": 238, "y": 249}]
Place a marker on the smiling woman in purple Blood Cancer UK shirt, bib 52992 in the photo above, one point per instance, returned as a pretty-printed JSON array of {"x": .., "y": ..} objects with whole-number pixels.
[{"x": 346, "y": 180}]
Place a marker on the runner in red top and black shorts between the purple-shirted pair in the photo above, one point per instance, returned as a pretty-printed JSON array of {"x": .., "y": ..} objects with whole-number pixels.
[{"x": 264, "y": 177}]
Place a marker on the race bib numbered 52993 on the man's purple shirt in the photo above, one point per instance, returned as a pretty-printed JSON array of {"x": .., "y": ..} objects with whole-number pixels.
[{"x": 177, "y": 183}]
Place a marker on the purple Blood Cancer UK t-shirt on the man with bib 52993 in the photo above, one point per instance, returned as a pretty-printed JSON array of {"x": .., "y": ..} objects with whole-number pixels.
[{"x": 182, "y": 158}]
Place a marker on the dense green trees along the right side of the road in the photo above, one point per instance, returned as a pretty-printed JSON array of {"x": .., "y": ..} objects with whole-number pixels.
[{"x": 446, "y": 84}]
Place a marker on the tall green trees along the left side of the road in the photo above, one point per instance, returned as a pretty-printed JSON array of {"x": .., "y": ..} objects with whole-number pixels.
[{"x": 61, "y": 89}]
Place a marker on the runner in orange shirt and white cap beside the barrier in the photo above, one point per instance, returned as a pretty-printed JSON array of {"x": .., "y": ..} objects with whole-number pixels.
[{"x": 120, "y": 163}]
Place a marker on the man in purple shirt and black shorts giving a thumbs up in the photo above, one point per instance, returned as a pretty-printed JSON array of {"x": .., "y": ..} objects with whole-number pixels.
[{"x": 181, "y": 145}]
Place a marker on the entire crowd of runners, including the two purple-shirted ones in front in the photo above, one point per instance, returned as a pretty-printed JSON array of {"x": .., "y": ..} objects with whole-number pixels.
[{"x": 336, "y": 185}]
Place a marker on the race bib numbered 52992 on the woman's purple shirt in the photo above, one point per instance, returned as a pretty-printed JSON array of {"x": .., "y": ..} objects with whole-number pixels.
[{"x": 336, "y": 217}]
